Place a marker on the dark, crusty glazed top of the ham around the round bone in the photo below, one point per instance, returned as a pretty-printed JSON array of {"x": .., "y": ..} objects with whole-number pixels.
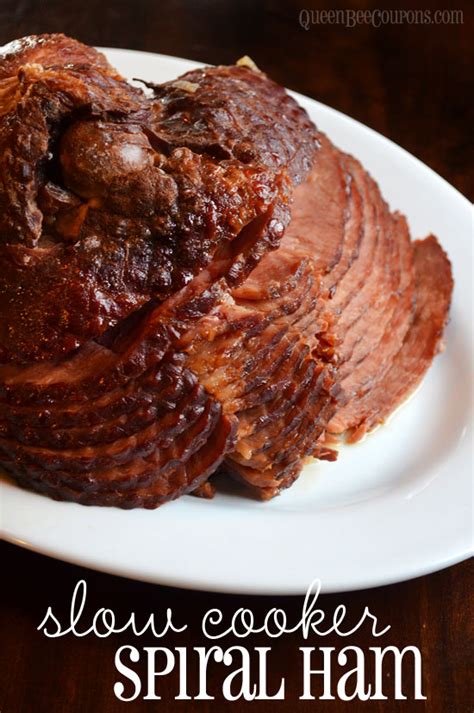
[{"x": 106, "y": 204}]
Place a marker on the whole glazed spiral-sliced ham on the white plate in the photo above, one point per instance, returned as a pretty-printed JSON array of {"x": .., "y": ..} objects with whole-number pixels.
[{"x": 192, "y": 279}]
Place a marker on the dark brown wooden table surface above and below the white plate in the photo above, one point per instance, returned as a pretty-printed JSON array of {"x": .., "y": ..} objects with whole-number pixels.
[{"x": 409, "y": 82}]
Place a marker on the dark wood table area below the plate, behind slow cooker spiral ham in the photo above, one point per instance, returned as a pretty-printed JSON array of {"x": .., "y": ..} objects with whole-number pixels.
[{"x": 72, "y": 675}]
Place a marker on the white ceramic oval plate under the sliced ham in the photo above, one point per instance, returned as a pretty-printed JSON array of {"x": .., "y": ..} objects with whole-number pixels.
[{"x": 396, "y": 506}]
